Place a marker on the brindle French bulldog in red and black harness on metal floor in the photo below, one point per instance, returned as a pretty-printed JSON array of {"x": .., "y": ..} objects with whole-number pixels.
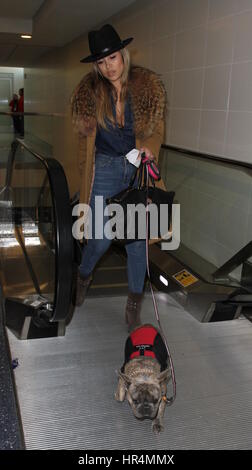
[{"x": 144, "y": 376}]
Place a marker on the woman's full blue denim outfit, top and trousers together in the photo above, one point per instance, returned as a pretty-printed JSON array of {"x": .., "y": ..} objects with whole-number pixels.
[{"x": 112, "y": 175}]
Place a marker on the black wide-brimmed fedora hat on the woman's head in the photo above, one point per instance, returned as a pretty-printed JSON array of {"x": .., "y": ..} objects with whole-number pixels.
[{"x": 104, "y": 42}]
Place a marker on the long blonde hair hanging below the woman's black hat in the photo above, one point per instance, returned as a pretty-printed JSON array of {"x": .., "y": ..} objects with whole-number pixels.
[{"x": 103, "y": 89}]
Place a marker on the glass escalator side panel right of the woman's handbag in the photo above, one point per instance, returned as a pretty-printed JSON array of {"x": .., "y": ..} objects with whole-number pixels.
[{"x": 216, "y": 211}]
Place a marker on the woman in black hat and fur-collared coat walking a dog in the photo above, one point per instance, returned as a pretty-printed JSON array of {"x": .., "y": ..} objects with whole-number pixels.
[{"x": 116, "y": 108}]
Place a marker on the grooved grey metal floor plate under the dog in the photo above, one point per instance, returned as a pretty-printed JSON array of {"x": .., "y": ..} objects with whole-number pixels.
[{"x": 66, "y": 385}]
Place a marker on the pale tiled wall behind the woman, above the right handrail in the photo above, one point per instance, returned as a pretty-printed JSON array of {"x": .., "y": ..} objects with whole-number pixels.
[{"x": 203, "y": 50}]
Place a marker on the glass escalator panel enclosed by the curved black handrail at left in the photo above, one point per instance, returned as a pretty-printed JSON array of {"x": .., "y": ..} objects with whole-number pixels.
[{"x": 27, "y": 241}]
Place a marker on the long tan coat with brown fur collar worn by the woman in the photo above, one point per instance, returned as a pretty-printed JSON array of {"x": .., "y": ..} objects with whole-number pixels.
[{"x": 148, "y": 101}]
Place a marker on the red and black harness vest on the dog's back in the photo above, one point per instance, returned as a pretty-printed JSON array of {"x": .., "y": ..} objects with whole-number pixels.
[{"x": 146, "y": 341}]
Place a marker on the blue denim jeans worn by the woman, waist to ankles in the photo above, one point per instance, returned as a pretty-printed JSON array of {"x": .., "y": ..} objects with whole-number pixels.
[{"x": 112, "y": 175}]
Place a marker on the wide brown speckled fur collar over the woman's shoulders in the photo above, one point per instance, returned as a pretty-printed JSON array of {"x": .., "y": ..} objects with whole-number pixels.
[{"x": 148, "y": 100}]
